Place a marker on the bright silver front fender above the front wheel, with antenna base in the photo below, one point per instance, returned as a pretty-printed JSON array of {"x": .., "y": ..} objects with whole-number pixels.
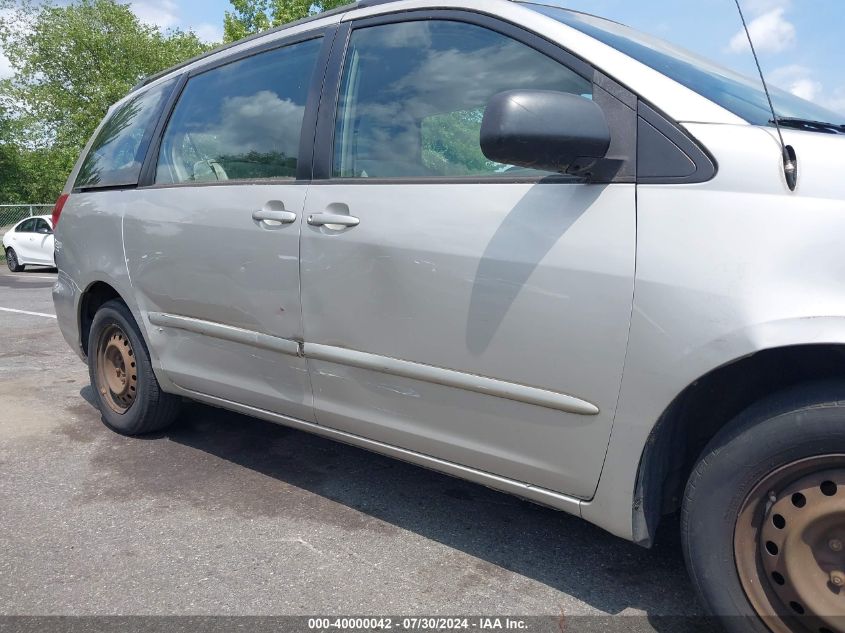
[{"x": 725, "y": 269}]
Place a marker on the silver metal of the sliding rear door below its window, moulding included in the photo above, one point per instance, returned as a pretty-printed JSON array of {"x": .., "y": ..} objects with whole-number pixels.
[{"x": 221, "y": 290}]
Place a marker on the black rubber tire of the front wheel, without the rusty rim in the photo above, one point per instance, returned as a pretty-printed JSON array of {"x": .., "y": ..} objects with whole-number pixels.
[{"x": 804, "y": 422}]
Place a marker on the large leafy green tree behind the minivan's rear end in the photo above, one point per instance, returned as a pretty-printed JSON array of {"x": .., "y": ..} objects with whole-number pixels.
[{"x": 71, "y": 63}]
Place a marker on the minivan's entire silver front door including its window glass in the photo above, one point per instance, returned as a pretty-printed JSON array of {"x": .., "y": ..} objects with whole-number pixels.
[{"x": 455, "y": 307}]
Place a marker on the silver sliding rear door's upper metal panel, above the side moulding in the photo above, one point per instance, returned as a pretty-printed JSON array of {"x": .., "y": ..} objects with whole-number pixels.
[{"x": 197, "y": 251}]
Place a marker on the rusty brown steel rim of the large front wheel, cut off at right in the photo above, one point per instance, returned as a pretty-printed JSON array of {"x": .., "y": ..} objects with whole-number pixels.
[{"x": 789, "y": 545}]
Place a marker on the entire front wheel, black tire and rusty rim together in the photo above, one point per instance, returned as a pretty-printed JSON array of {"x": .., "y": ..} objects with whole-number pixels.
[{"x": 763, "y": 520}]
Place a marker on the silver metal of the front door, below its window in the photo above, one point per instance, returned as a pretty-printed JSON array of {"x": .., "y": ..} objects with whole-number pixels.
[{"x": 527, "y": 284}]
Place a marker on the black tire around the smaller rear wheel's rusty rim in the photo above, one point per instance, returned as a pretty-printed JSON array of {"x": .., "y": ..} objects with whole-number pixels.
[{"x": 116, "y": 313}]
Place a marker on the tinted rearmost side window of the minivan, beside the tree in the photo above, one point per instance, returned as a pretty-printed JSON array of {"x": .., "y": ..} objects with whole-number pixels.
[{"x": 118, "y": 150}]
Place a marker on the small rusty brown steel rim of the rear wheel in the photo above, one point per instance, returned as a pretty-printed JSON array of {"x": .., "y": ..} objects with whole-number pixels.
[{"x": 117, "y": 376}]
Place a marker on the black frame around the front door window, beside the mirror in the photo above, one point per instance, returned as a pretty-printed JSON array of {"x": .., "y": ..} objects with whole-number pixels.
[{"x": 324, "y": 141}]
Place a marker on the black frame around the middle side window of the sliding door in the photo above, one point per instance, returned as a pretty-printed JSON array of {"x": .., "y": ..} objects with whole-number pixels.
[{"x": 306, "y": 140}]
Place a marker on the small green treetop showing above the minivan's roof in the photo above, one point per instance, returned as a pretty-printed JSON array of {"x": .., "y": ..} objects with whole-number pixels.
[{"x": 253, "y": 16}]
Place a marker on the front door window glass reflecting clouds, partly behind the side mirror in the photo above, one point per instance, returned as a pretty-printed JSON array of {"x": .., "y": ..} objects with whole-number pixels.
[{"x": 451, "y": 68}]
